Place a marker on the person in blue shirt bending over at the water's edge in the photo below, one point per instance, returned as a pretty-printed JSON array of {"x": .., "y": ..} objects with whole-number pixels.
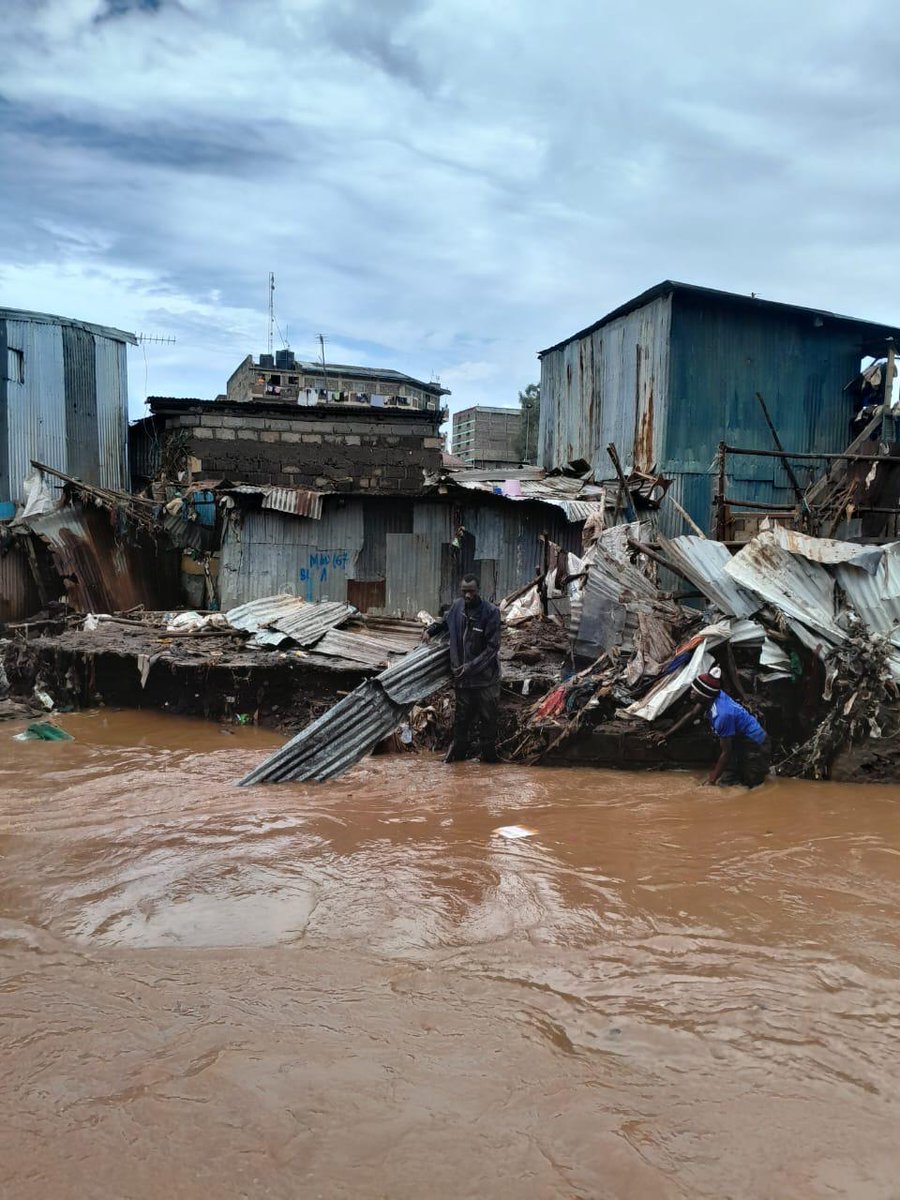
[{"x": 745, "y": 752}]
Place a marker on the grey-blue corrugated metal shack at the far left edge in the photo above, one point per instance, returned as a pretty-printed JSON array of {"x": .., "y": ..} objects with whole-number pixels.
[{"x": 64, "y": 400}]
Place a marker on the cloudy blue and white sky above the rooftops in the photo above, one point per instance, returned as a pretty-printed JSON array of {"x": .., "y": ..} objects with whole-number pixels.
[{"x": 441, "y": 187}]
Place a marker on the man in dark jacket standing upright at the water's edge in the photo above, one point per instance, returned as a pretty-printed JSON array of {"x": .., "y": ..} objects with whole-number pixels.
[{"x": 475, "y": 629}]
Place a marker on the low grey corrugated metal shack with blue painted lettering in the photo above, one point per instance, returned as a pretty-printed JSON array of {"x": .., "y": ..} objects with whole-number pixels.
[{"x": 387, "y": 556}]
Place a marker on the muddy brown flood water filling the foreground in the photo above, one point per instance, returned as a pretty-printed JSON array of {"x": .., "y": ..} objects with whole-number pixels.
[{"x": 362, "y": 991}]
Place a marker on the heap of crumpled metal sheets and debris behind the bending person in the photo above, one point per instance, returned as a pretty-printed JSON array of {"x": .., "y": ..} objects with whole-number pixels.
[{"x": 806, "y": 631}]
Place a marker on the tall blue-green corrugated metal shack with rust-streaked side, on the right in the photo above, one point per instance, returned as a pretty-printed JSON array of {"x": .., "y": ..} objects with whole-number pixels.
[{"x": 676, "y": 371}]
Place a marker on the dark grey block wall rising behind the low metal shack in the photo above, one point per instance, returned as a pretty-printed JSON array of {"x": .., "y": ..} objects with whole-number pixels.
[{"x": 313, "y": 448}]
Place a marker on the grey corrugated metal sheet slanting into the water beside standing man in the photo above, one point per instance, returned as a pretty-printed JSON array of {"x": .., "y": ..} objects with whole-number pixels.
[{"x": 357, "y": 724}]
